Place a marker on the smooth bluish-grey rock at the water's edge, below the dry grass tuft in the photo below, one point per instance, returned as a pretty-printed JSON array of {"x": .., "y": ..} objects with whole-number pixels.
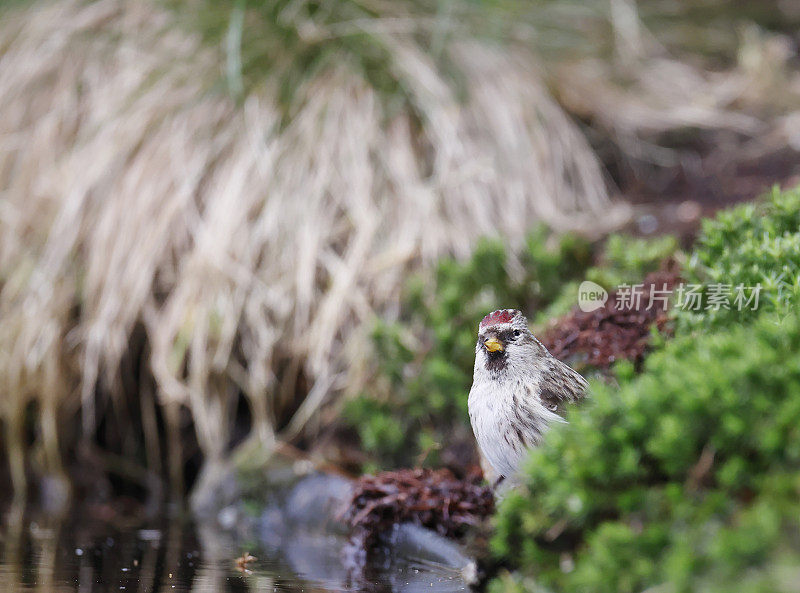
[{"x": 300, "y": 527}]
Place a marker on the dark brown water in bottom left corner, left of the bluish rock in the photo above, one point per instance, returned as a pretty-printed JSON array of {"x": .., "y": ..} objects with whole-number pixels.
[{"x": 44, "y": 553}]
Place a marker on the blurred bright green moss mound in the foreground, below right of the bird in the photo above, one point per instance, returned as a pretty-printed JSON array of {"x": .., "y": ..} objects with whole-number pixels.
[{"x": 685, "y": 474}]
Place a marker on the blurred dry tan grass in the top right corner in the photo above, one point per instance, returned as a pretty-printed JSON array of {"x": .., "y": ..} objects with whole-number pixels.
[{"x": 660, "y": 98}]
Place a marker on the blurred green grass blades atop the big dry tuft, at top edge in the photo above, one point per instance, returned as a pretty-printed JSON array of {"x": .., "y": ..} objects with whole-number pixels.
[{"x": 286, "y": 43}]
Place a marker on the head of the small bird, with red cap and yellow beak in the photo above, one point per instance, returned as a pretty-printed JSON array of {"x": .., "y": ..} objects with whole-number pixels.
[{"x": 505, "y": 342}]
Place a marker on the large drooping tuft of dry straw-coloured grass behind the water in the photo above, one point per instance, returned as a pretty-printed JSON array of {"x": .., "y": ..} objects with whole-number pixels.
[{"x": 135, "y": 192}]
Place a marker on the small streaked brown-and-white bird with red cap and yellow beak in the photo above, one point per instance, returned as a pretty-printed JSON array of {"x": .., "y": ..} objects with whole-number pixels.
[{"x": 518, "y": 388}]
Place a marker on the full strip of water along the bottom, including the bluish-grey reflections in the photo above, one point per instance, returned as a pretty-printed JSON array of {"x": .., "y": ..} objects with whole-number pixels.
[{"x": 45, "y": 553}]
